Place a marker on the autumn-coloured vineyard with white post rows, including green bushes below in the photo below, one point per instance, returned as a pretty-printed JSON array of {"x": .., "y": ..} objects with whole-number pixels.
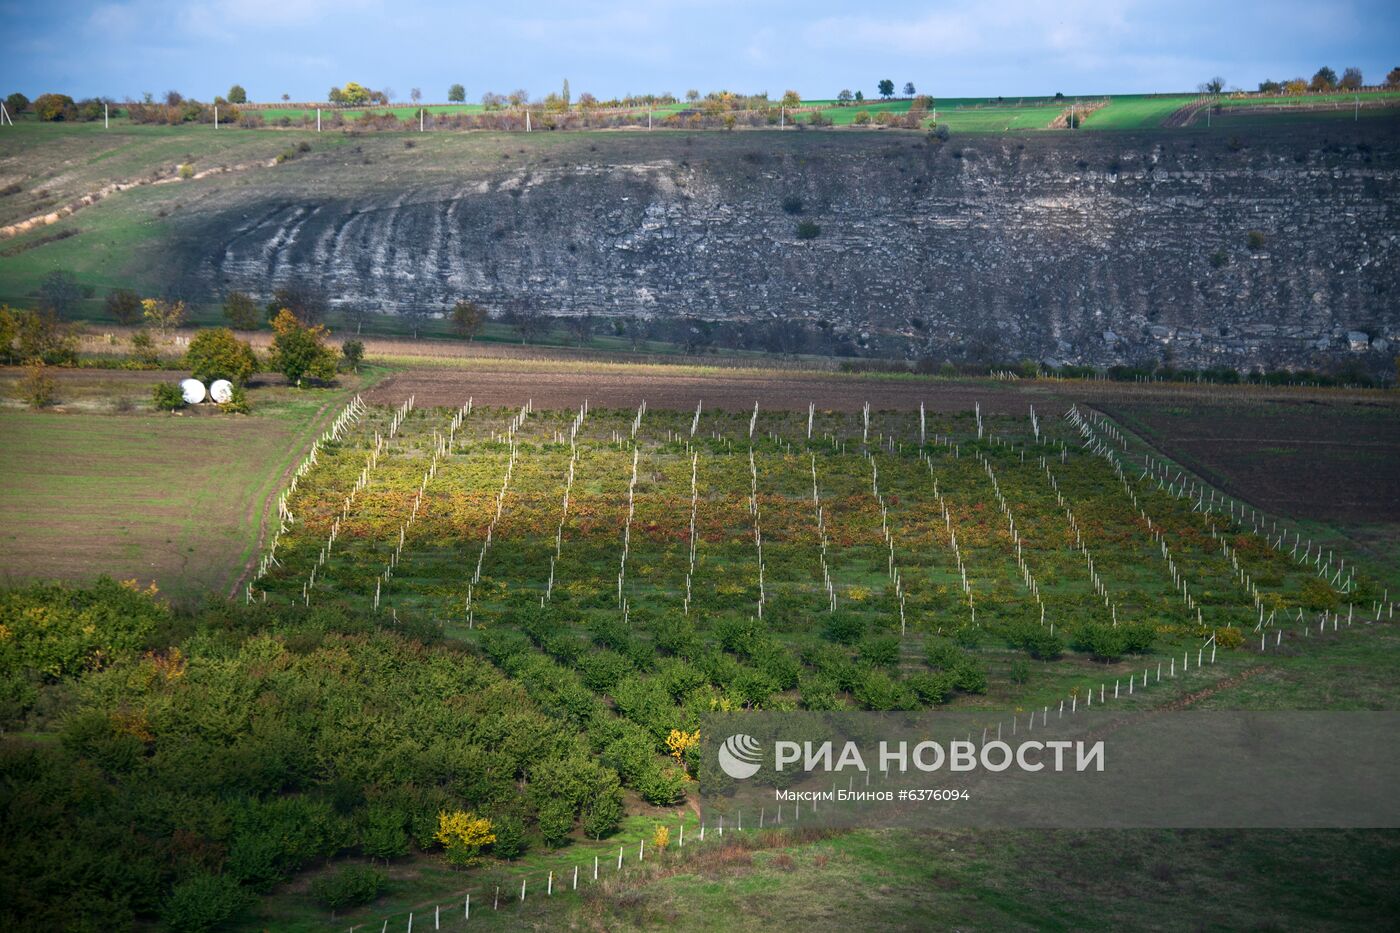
[{"x": 636, "y": 569}]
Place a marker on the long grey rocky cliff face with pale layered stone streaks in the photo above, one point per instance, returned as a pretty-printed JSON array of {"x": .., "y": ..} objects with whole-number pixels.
[{"x": 1256, "y": 250}]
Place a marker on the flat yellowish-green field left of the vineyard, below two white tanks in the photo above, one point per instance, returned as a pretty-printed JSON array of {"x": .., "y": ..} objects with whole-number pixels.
[{"x": 138, "y": 495}]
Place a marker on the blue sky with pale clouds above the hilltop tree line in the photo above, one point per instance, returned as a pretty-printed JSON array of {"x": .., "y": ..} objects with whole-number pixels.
[{"x": 302, "y": 48}]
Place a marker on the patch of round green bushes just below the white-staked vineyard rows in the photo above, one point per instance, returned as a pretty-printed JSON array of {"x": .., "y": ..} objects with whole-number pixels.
[{"x": 664, "y": 675}]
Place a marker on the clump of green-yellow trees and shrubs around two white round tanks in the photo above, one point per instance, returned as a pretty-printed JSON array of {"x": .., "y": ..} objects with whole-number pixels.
[{"x": 299, "y": 352}]
